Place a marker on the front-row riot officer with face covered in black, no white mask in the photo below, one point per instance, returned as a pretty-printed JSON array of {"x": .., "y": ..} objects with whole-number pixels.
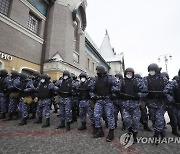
[{"x": 102, "y": 92}]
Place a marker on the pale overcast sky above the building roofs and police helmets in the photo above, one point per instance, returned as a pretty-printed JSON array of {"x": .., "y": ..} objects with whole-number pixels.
[{"x": 142, "y": 29}]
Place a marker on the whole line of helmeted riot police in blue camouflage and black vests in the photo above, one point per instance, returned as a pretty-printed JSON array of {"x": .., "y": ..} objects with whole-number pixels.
[{"x": 103, "y": 96}]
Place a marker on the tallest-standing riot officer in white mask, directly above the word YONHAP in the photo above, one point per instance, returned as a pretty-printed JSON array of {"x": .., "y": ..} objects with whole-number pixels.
[{"x": 156, "y": 98}]
